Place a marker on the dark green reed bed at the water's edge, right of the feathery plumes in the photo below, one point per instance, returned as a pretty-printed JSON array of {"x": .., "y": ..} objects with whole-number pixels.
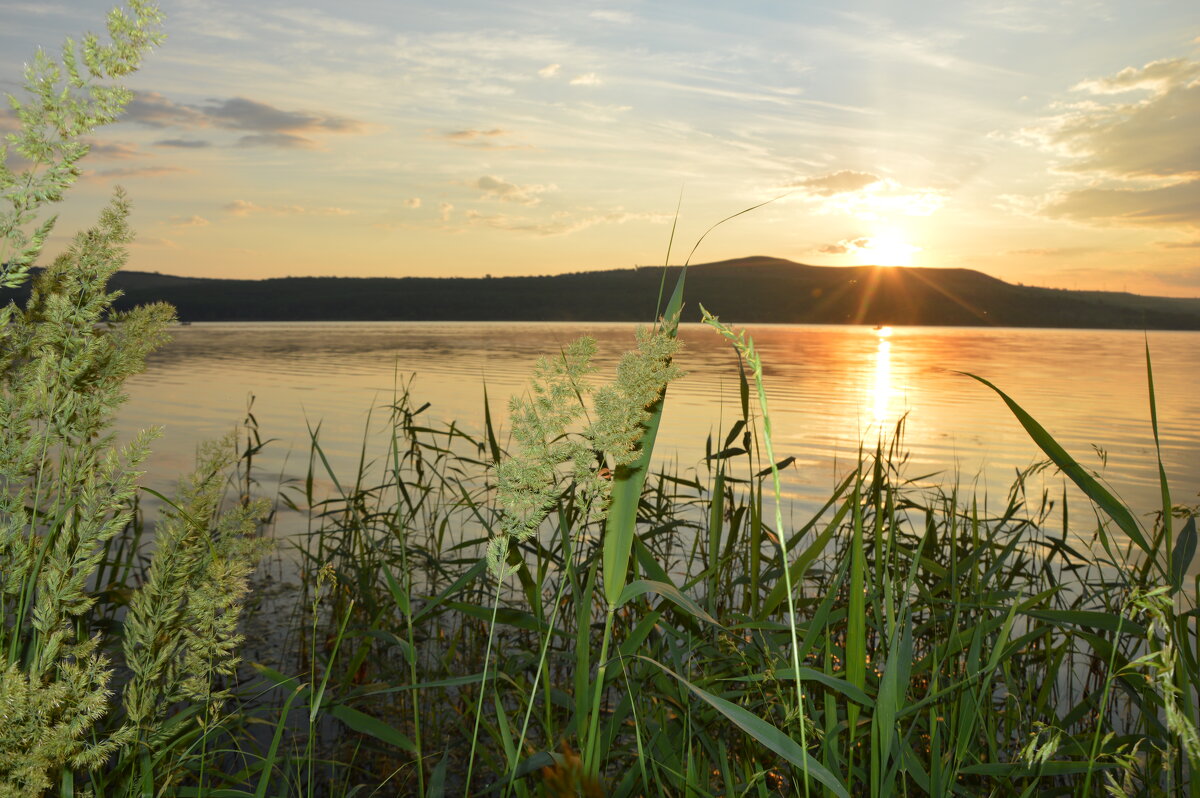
[{"x": 935, "y": 645}]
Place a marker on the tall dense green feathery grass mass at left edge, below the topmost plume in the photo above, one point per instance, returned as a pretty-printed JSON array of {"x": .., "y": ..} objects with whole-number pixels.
[{"x": 65, "y": 491}]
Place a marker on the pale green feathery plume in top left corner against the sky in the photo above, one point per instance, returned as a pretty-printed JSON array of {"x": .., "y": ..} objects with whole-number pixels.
[{"x": 65, "y": 103}]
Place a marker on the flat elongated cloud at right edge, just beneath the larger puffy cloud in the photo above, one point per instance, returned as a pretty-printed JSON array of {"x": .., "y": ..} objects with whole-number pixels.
[{"x": 1173, "y": 206}]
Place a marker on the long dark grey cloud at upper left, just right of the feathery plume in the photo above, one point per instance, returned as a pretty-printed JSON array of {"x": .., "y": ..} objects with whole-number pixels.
[{"x": 265, "y": 125}]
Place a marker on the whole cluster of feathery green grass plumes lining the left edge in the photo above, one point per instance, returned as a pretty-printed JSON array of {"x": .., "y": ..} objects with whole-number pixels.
[{"x": 68, "y": 490}]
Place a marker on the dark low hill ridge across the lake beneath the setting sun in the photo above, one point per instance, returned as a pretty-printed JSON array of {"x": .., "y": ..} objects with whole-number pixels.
[{"x": 755, "y": 290}]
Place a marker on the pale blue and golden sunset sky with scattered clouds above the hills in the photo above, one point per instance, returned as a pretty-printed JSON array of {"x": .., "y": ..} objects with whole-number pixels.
[{"x": 1047, "y": 143}]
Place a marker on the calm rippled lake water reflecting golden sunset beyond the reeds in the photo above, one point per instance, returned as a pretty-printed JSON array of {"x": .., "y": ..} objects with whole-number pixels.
[{"x": 831, "y": 388}]
